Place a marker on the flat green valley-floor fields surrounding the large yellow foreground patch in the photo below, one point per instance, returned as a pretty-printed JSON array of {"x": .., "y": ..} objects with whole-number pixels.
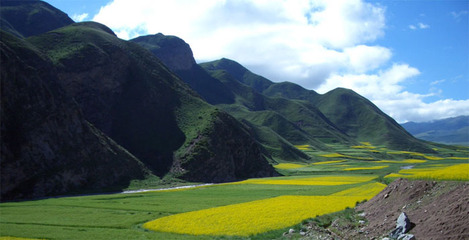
[{"x": 121, "y": 216}]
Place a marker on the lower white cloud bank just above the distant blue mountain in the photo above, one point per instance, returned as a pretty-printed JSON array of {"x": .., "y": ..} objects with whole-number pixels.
[{"x": 386, "y": 91}]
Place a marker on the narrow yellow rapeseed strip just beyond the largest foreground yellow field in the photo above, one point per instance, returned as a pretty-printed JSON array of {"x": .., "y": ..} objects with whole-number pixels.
[{"x": 319, "y": 181}]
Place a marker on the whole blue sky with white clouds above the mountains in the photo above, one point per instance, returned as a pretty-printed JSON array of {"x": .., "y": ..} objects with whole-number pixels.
[{"x": 409, "y": 57}]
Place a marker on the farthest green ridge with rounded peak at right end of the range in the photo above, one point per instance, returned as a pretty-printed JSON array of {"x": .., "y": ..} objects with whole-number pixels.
[{"x": 342, "y": 110}]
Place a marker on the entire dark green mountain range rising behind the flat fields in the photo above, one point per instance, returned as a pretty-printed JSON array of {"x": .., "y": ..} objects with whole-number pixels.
[{"x": 82, "y": 110}]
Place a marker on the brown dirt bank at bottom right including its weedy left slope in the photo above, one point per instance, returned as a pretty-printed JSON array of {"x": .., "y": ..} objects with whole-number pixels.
[{"x": 437, "y": 210}]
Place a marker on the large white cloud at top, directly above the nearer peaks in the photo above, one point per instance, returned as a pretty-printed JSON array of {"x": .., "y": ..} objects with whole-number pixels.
[{"x": 301, "y": 41}]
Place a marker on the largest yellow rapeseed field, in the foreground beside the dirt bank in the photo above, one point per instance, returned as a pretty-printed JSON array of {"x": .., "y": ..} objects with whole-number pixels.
[{"x": 254, "y": 217}]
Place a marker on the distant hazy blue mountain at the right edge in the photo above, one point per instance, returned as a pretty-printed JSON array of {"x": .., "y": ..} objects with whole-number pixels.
[{"x": 453, "y": 131}]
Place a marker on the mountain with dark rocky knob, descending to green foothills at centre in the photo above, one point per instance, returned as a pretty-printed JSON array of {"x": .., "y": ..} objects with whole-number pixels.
[{"x": 278, "y": 123}]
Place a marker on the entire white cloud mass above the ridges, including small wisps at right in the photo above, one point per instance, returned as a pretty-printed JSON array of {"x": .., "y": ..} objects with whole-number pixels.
[{"x": 318, "y": 44}]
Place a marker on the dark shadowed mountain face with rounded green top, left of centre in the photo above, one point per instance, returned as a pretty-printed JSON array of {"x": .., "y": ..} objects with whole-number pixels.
[{"x": 121, "y": 89}]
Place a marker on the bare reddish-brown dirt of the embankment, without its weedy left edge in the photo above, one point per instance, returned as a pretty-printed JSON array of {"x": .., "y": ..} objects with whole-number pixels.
[{"x": 439, "y": 210}]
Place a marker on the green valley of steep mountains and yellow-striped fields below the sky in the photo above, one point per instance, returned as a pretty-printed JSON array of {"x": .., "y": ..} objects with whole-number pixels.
[{"x": 105, "y": 138}]
